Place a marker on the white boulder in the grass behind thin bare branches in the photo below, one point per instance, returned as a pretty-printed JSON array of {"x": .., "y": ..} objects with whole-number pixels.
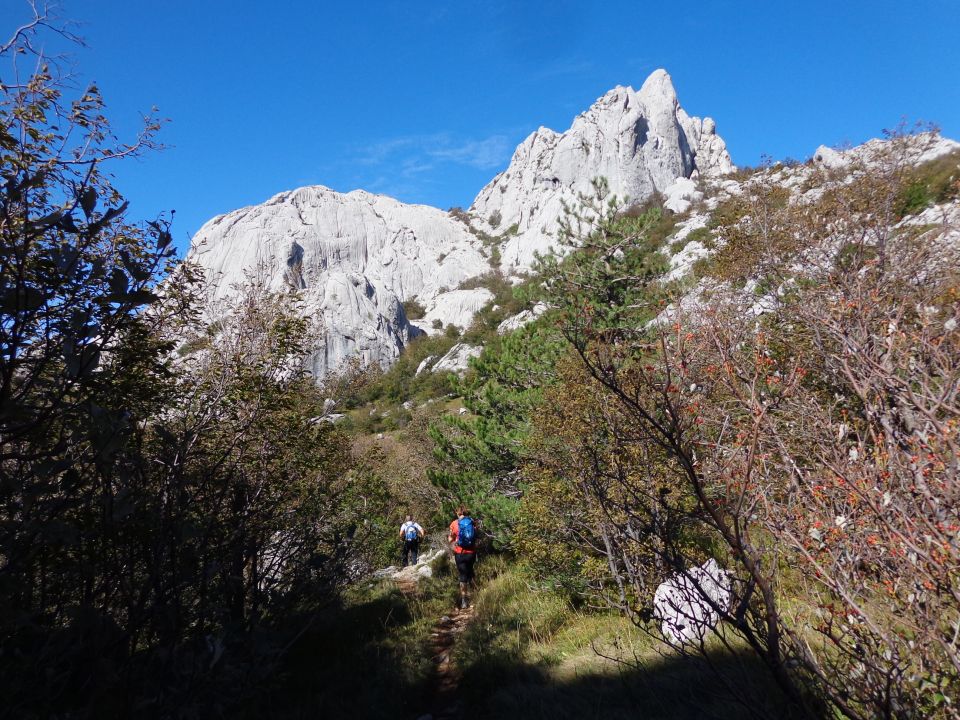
[{"x": 687, "y": 603}]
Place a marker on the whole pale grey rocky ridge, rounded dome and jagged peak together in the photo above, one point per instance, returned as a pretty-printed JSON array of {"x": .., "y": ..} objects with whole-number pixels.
[{"x": 357, "y": 257}]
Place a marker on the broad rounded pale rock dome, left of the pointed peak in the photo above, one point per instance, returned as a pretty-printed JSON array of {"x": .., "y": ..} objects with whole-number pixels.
[{"x": 354, "y": 257}]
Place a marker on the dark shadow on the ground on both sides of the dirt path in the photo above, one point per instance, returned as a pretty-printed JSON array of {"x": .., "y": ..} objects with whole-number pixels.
[{"x": 372, "y": 660}]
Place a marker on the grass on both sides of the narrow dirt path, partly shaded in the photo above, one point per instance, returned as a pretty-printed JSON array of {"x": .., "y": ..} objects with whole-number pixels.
[{"x": 527, "y": 654}]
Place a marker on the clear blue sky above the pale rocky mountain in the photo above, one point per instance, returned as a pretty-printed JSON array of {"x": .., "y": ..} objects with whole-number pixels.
[{"x": 425, "y": 100}]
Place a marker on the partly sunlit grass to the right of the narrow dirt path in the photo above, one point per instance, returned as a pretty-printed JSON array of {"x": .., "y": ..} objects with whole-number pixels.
[{"x": 530, "y": 654}]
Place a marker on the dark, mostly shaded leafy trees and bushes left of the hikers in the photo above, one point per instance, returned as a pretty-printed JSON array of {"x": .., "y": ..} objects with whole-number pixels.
[{"x": 157, "y": 510}]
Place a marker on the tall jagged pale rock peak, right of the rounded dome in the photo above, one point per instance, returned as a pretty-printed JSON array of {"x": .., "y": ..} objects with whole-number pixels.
[{"x": 641, "y": 142}]
